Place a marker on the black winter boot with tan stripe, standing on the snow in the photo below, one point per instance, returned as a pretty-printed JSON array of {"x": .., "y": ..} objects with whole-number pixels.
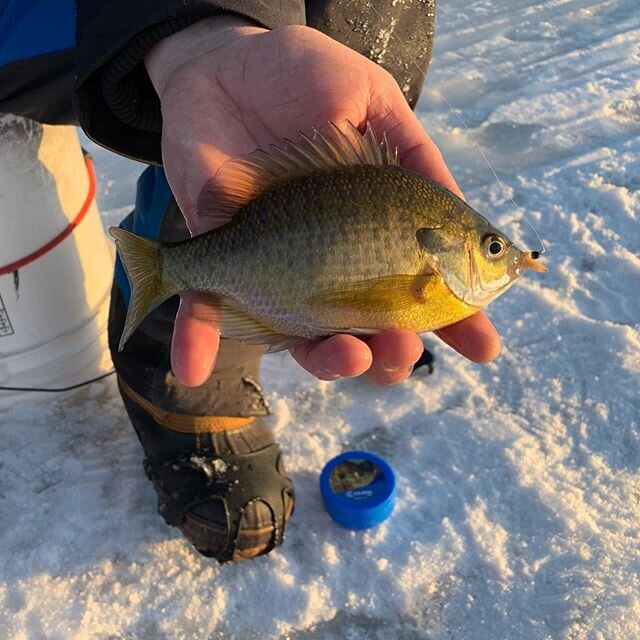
[{"x": 213, "y": 462}]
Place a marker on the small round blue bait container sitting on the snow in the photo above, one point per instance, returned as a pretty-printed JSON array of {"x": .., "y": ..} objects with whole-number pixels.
[{"x": 358, "y": 489}]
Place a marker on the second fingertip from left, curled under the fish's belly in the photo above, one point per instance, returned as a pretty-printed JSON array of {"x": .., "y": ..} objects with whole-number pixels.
[{"x": 340, "y": 356}]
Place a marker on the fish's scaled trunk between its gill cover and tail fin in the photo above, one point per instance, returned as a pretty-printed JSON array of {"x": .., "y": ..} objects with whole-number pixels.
[{"x": 275, "y": 263}]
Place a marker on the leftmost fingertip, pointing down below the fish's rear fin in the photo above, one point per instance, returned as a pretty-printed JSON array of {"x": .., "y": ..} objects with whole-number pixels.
[{"x": 194, "y": 346}]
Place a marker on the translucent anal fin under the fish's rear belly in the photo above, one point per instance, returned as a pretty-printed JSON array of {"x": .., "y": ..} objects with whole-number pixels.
[{"x": 235, "y": 324}]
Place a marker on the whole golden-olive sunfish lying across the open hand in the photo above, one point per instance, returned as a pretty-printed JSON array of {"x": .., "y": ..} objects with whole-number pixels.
[{"x": 329, "y": 235}]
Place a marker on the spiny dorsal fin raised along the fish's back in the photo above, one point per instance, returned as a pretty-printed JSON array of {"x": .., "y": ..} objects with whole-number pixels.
[{"x": 243, "y": 178}]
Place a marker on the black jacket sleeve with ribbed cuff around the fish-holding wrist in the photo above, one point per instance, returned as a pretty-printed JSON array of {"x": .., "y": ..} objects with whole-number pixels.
[{"x": 116, "y": 103}]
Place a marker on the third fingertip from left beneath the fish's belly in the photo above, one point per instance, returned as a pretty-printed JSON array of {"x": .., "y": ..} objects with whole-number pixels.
[{"x": 394, "y": 354}]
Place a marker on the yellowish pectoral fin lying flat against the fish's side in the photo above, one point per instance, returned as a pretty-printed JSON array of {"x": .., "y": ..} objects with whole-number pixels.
[{"x": 378, "y": 294}]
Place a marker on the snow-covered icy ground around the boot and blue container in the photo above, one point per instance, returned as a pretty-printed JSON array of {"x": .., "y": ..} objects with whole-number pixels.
[{"x": 518, "y": 514}]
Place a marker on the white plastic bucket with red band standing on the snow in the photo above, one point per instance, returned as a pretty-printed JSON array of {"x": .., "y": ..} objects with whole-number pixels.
[{"x": 54, "y": 307}]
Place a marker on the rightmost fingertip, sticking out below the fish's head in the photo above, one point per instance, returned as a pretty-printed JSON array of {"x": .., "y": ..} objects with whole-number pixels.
[{"x": 475, "y": 338}]
